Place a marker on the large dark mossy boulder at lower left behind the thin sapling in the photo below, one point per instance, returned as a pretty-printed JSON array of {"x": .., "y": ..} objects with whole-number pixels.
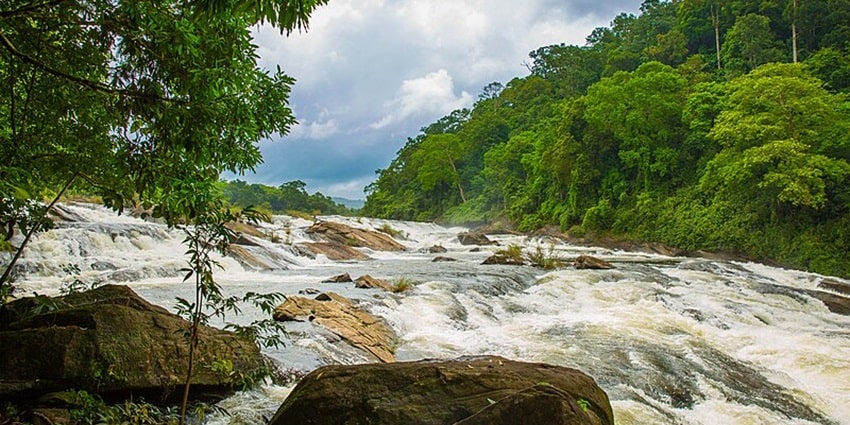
[{"x": 112, "y": 342}]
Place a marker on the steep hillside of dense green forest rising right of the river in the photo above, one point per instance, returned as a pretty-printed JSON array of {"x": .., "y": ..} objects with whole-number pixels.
[{"x": 713, "y": 125}]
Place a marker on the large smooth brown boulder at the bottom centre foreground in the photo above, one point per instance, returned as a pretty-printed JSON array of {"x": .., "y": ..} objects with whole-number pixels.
[{"x": 481, "y": 390}]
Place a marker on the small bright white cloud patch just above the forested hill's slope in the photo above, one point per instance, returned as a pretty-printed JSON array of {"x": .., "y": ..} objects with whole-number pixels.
[{"x": 432, "y": 96}]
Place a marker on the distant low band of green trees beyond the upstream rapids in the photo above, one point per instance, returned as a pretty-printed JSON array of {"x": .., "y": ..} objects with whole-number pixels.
[{"x": 290, "y": 197}]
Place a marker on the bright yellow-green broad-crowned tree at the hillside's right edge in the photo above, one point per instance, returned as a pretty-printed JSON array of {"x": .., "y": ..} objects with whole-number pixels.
[{"x": 785, "y": 144}]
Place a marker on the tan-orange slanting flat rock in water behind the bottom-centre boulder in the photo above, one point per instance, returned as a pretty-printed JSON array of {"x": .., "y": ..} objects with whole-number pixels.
[{"x": 342, "y": 317}]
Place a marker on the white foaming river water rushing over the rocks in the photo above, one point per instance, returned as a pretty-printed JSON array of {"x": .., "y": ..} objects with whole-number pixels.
[{"x": 671, "y": 340}]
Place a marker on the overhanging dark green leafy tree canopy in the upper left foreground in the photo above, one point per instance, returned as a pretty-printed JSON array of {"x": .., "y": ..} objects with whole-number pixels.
[{"x": 124, "y": 97}]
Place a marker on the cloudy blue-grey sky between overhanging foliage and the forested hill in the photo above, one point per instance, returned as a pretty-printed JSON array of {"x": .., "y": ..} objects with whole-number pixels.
[{"x": 371, "y": 73}]
